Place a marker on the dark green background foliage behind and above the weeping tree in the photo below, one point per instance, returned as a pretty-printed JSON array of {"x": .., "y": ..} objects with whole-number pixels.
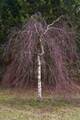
[{"x": 14, "y": 13}]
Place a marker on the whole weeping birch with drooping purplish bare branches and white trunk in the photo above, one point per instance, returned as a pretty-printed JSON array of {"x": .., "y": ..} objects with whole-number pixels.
[{"x": 42, "y": 56}]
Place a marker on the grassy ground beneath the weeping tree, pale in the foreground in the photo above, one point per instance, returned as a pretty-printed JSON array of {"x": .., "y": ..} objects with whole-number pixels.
[{"x": 18, "y": 105}]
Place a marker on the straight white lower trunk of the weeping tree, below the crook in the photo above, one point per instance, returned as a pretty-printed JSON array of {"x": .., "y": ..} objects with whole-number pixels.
[{"x": 39, "y": 79}]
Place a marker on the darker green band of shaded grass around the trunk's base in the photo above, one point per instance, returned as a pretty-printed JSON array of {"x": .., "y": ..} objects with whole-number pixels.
[{"x": 24, "y": 103}]
